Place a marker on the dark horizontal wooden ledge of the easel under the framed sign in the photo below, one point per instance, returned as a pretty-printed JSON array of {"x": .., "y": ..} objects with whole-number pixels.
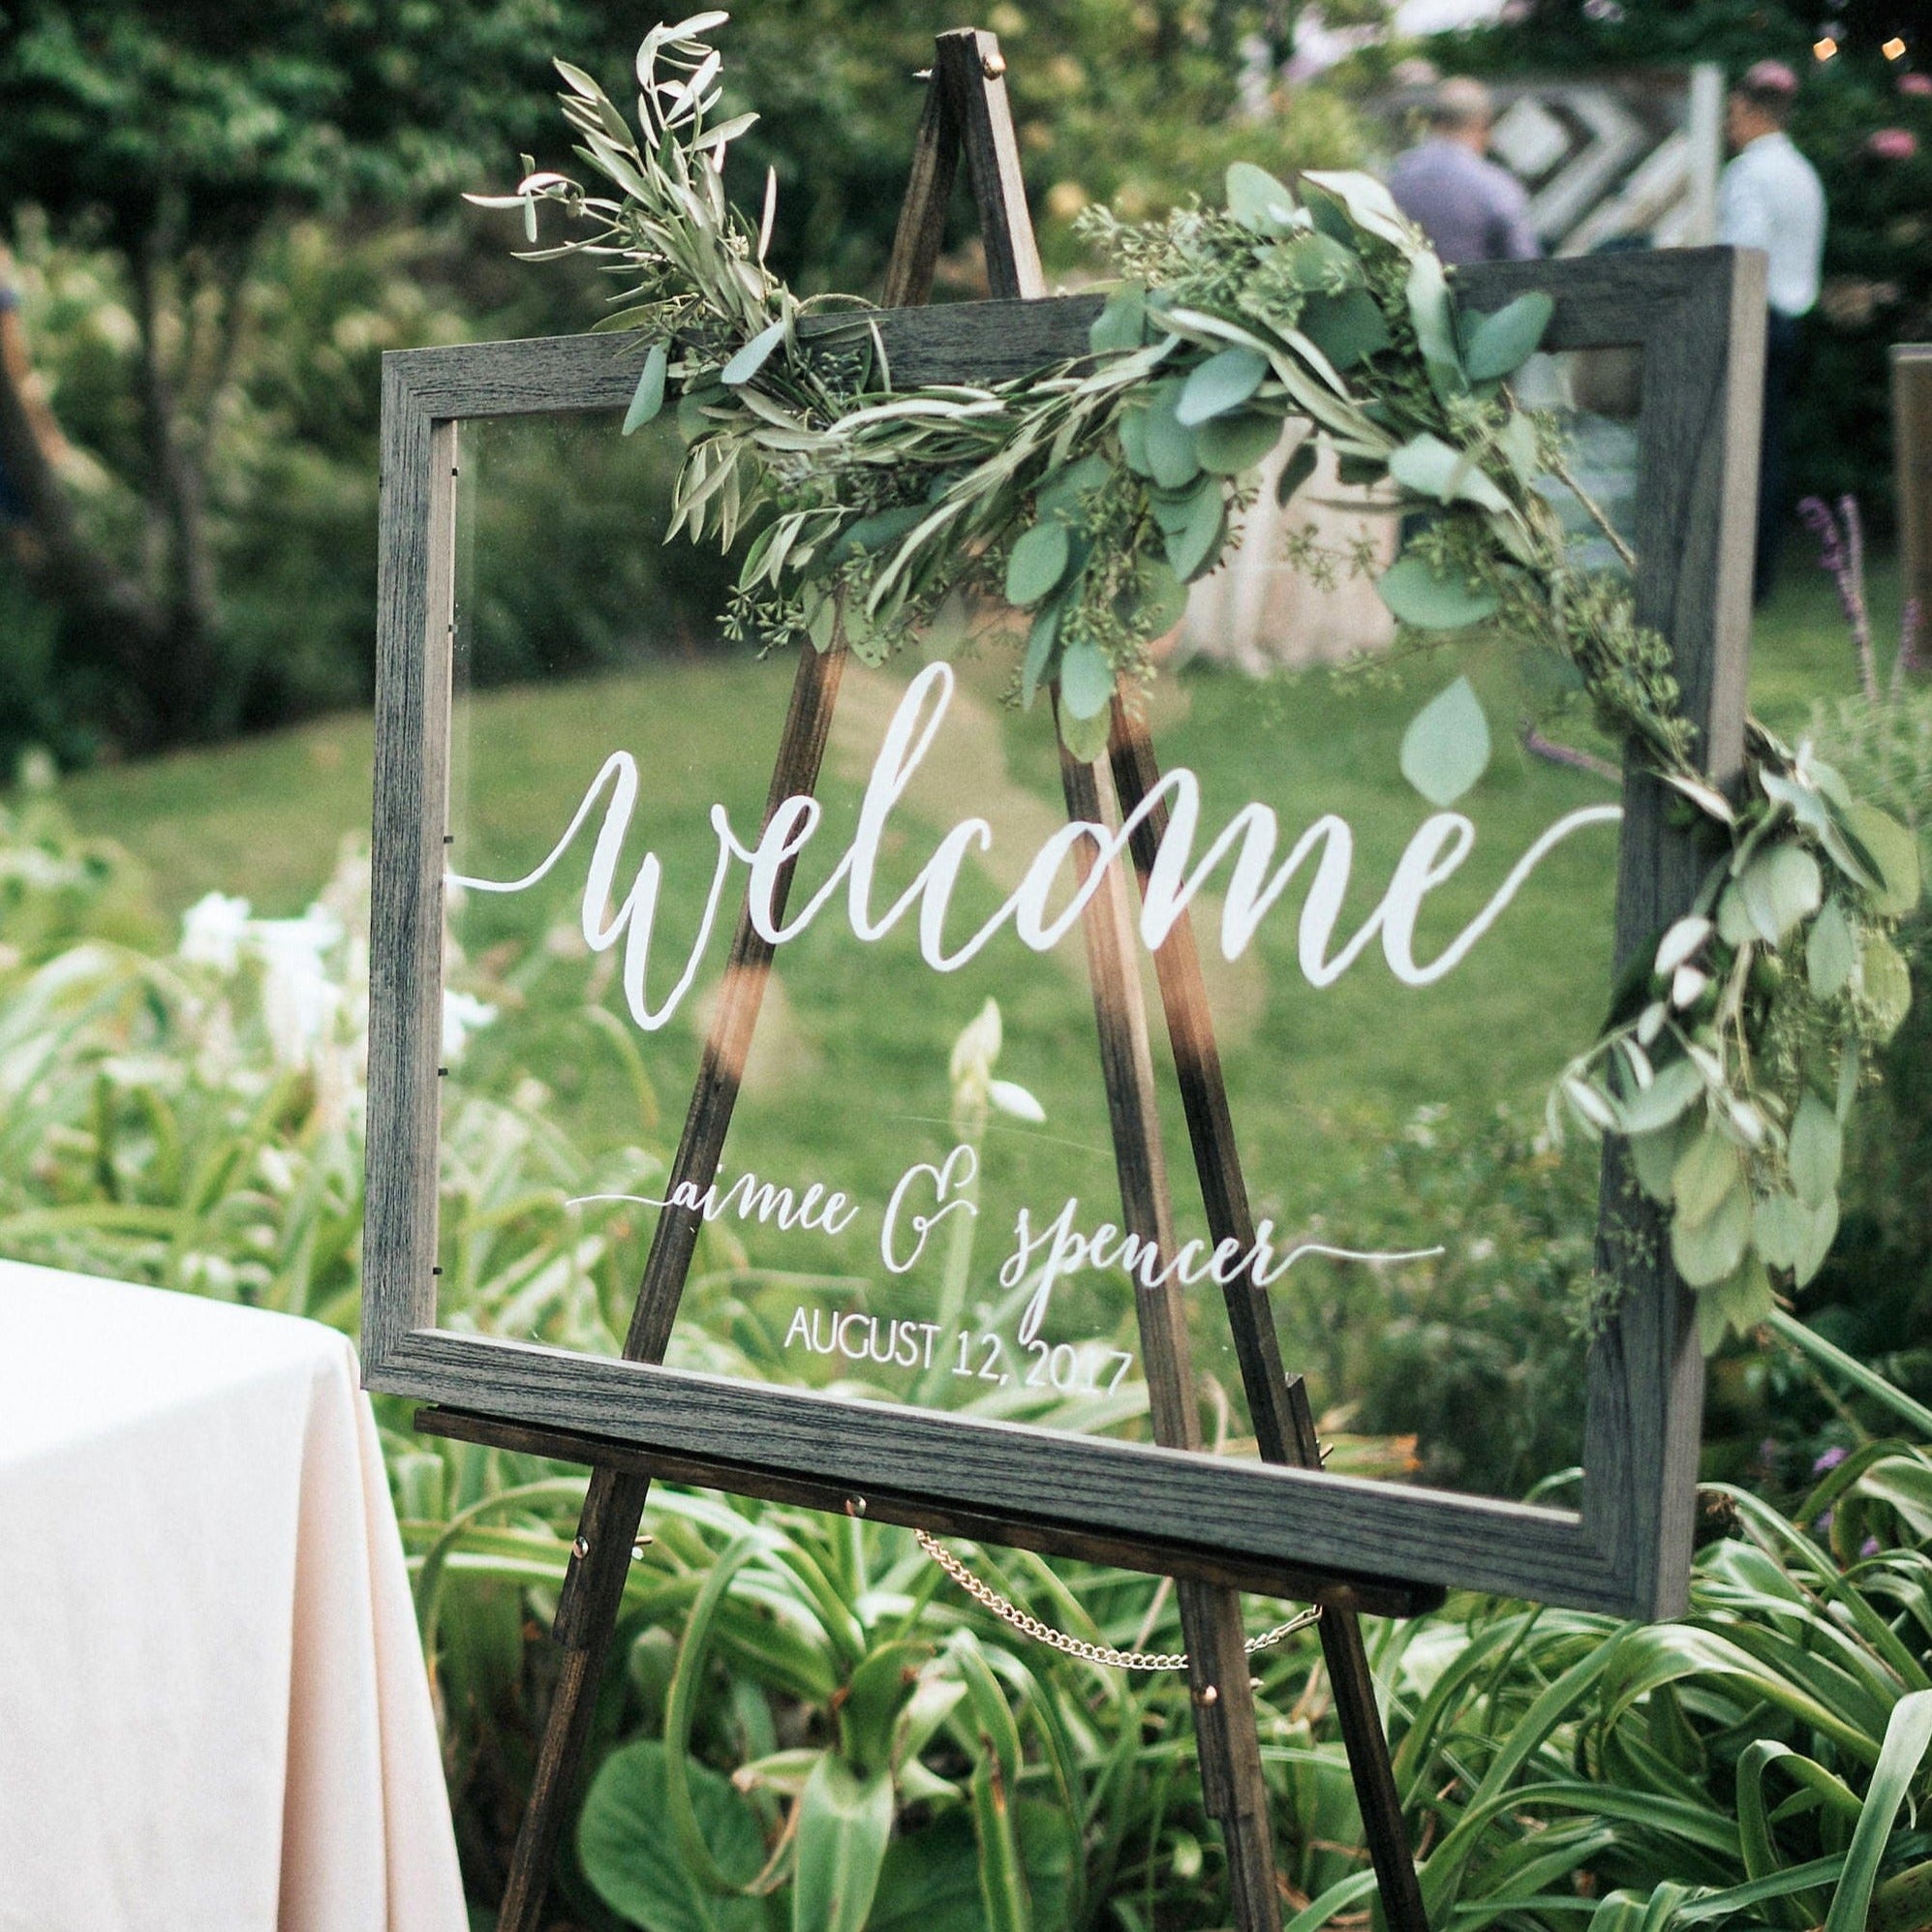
[{"x": 984, "y": 1521}]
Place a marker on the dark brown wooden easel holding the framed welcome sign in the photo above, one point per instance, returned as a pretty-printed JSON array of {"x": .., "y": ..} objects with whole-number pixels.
[{"x": 967, "y": 113}]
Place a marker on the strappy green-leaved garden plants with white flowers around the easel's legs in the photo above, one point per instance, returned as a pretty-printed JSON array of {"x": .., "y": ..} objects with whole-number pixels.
[{"x": 803, "y": 1697}]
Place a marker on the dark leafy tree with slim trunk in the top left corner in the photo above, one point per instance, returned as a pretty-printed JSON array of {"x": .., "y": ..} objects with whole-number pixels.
[{"x": 179, "y": 138}]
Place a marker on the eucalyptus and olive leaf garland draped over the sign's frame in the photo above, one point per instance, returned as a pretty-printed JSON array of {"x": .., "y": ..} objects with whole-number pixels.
[{"x": 1093, "y": 494}]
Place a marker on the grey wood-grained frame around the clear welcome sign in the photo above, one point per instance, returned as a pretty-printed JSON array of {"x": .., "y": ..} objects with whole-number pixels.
[{"x": 1699, "y": 322}]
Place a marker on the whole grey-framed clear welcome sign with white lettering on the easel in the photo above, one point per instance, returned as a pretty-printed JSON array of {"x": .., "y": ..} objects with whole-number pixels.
[{"x": 855, "y": 915}]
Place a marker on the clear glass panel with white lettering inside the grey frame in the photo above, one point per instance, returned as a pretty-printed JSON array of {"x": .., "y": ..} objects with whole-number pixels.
[{"x": 919, "y": 1191}]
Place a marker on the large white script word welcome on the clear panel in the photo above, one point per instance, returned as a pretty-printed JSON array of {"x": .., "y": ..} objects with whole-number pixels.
[{"x": 1436, "y": 853}]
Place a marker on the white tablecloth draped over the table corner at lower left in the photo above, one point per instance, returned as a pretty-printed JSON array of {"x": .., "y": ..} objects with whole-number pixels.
[{"x": 213, "y": 1713}]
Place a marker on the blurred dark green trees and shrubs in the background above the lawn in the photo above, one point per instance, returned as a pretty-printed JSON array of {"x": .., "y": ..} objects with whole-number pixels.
[{"x": 221, "y": 219}]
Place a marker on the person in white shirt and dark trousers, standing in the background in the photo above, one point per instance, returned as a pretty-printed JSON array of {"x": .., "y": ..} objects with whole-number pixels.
[{"x": 1771, "y": 198}]
